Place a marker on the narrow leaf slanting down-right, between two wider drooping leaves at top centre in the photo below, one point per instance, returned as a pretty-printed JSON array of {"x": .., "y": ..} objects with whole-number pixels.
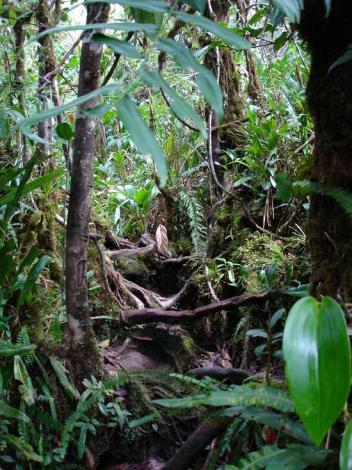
[{"x": 178, "y": 105}]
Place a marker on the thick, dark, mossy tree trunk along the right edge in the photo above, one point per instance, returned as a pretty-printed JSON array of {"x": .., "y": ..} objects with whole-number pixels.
[{"x": 330, "y": 102}]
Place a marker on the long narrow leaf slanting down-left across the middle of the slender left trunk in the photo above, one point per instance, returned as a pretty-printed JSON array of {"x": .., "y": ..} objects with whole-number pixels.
[{"x": 43, "y": 115}]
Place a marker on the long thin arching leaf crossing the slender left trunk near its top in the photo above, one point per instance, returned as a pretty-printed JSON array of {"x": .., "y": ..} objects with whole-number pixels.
[{"x": 148, "y": 28}]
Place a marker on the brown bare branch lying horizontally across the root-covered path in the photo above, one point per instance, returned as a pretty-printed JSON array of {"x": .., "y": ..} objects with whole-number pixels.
[{"x": 151, "y": 315}]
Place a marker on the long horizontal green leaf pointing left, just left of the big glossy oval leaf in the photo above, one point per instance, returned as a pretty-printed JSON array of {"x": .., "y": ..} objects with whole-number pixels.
[{"x": 238, "y": 396}]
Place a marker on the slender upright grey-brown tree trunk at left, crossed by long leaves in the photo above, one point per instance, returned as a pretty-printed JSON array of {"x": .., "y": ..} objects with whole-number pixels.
[{"x": 83, "y": 350}]
